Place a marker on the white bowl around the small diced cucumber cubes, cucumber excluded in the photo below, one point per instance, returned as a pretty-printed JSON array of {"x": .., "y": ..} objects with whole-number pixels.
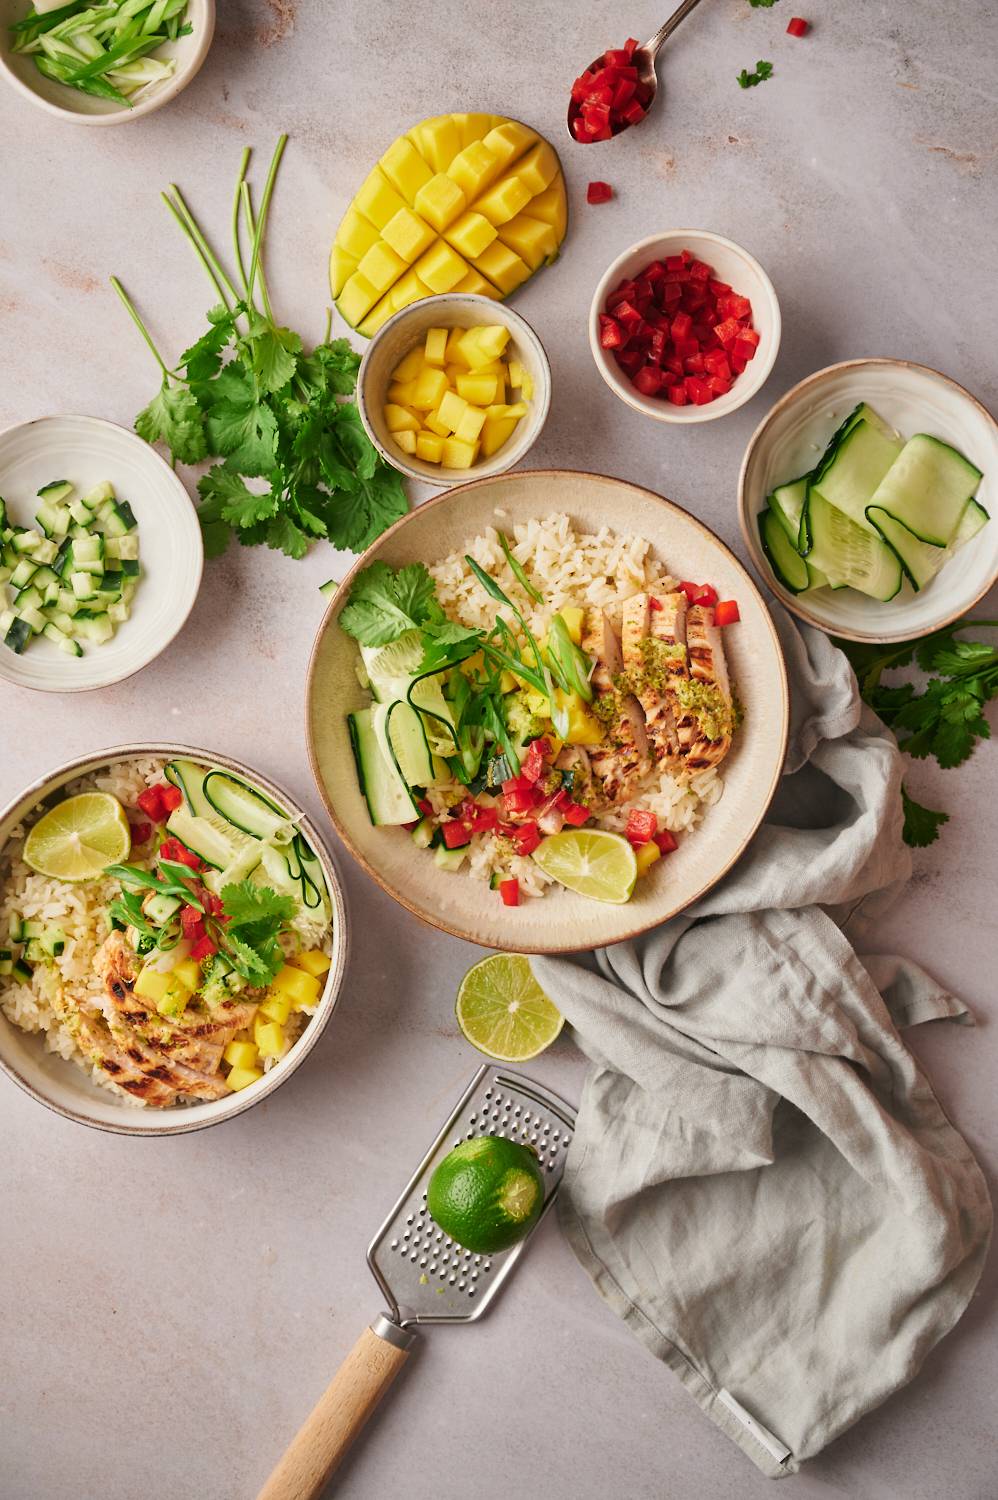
[{"x": 88, "y": 451}]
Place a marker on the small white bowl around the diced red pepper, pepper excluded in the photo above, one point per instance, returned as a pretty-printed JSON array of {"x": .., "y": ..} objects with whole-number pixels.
[{"x": 732, "y": 265}]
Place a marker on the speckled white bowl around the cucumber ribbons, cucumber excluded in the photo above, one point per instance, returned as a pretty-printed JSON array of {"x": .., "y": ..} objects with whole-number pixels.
[{"x": 915, "y": 400}]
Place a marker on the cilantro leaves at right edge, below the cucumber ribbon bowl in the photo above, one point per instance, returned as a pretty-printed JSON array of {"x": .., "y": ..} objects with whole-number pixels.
[{"x": 946, "y": 718}]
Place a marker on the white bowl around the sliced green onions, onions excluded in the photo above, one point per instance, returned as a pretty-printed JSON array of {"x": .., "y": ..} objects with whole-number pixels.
[{"x": 80, "y": 109}]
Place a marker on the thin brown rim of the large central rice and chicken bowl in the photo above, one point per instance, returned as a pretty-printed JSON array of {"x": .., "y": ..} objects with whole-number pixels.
[{"x": 337, "y": 605}]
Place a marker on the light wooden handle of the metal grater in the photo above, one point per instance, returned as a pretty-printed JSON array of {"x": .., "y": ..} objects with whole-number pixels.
[{"x": 340, "y": 1414}]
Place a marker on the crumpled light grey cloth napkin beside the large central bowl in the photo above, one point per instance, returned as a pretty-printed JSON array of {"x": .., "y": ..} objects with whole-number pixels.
[{"x": 762, "y": 1181}]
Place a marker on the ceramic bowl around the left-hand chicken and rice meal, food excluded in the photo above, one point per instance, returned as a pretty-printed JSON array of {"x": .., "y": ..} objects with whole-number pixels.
[{"x": 67, "y": 1088}]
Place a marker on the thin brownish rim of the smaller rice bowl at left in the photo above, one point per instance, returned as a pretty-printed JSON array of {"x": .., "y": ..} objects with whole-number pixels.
[{"x": 332, "y": 989}]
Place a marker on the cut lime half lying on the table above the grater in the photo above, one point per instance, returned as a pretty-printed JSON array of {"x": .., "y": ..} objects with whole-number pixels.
[{"x": 504, "y": 1012}]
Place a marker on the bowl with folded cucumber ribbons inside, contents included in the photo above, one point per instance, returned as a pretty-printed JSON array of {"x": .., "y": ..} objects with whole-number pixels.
[{"x": 867, "y": 500}]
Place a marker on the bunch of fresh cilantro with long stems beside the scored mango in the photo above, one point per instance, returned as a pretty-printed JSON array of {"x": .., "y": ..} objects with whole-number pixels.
[{"x": 295, "y": 463}]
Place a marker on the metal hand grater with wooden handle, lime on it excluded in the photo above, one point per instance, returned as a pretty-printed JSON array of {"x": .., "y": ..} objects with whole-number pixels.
[{"x": 424, "y": 1276}]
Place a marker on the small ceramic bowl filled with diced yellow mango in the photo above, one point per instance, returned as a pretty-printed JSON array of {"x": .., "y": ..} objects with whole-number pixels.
[{"x": 454, "y": 388}]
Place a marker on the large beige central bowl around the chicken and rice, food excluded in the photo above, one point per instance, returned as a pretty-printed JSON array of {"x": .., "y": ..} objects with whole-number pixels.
[{"x": 561, "y": 922}]
